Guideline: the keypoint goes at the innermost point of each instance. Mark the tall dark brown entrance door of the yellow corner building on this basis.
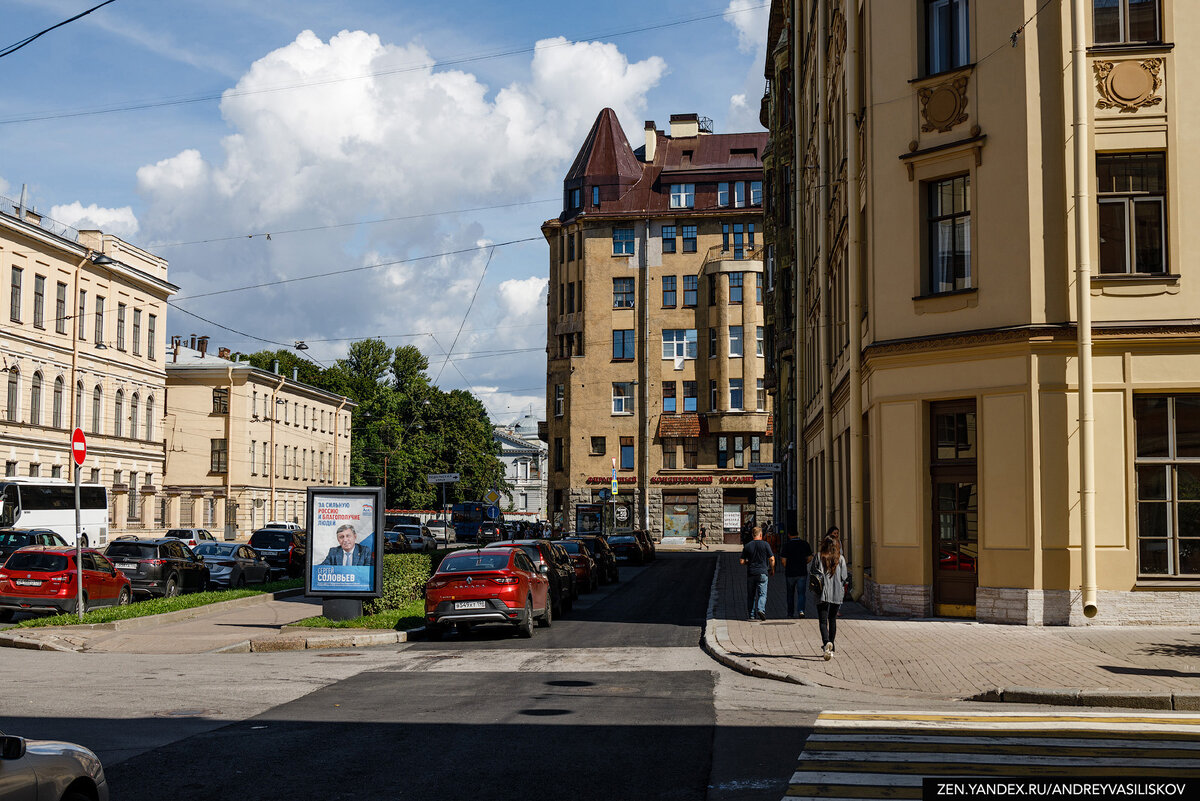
(956, 509)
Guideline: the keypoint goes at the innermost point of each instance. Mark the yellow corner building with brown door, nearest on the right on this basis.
(992, 342)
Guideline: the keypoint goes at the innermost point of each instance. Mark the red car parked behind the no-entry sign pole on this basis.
(43, 580)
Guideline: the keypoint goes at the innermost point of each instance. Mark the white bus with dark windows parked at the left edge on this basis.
(50, 504)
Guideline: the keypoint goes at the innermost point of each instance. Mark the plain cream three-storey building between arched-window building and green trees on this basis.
(245, 444)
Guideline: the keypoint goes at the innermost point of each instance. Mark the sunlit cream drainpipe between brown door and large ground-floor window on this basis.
(1084, 305)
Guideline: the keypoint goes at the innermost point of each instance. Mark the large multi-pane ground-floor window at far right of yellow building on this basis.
(1168, 466)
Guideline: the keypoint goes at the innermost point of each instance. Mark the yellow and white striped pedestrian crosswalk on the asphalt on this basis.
(889, 755)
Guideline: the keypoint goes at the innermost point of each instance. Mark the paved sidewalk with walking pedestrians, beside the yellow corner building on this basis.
(943, 659)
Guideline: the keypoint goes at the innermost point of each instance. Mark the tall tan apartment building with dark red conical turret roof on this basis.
(656, 335)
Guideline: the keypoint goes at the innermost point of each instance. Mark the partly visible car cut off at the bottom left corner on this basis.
(47, 769)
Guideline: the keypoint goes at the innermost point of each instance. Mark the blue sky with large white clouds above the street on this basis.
(401, 155)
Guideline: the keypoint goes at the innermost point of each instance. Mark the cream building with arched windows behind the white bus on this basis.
(81, 347)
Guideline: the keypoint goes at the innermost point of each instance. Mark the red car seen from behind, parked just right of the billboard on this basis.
(488, 586)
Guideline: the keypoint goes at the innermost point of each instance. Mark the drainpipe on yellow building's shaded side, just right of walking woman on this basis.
(854, 279)
